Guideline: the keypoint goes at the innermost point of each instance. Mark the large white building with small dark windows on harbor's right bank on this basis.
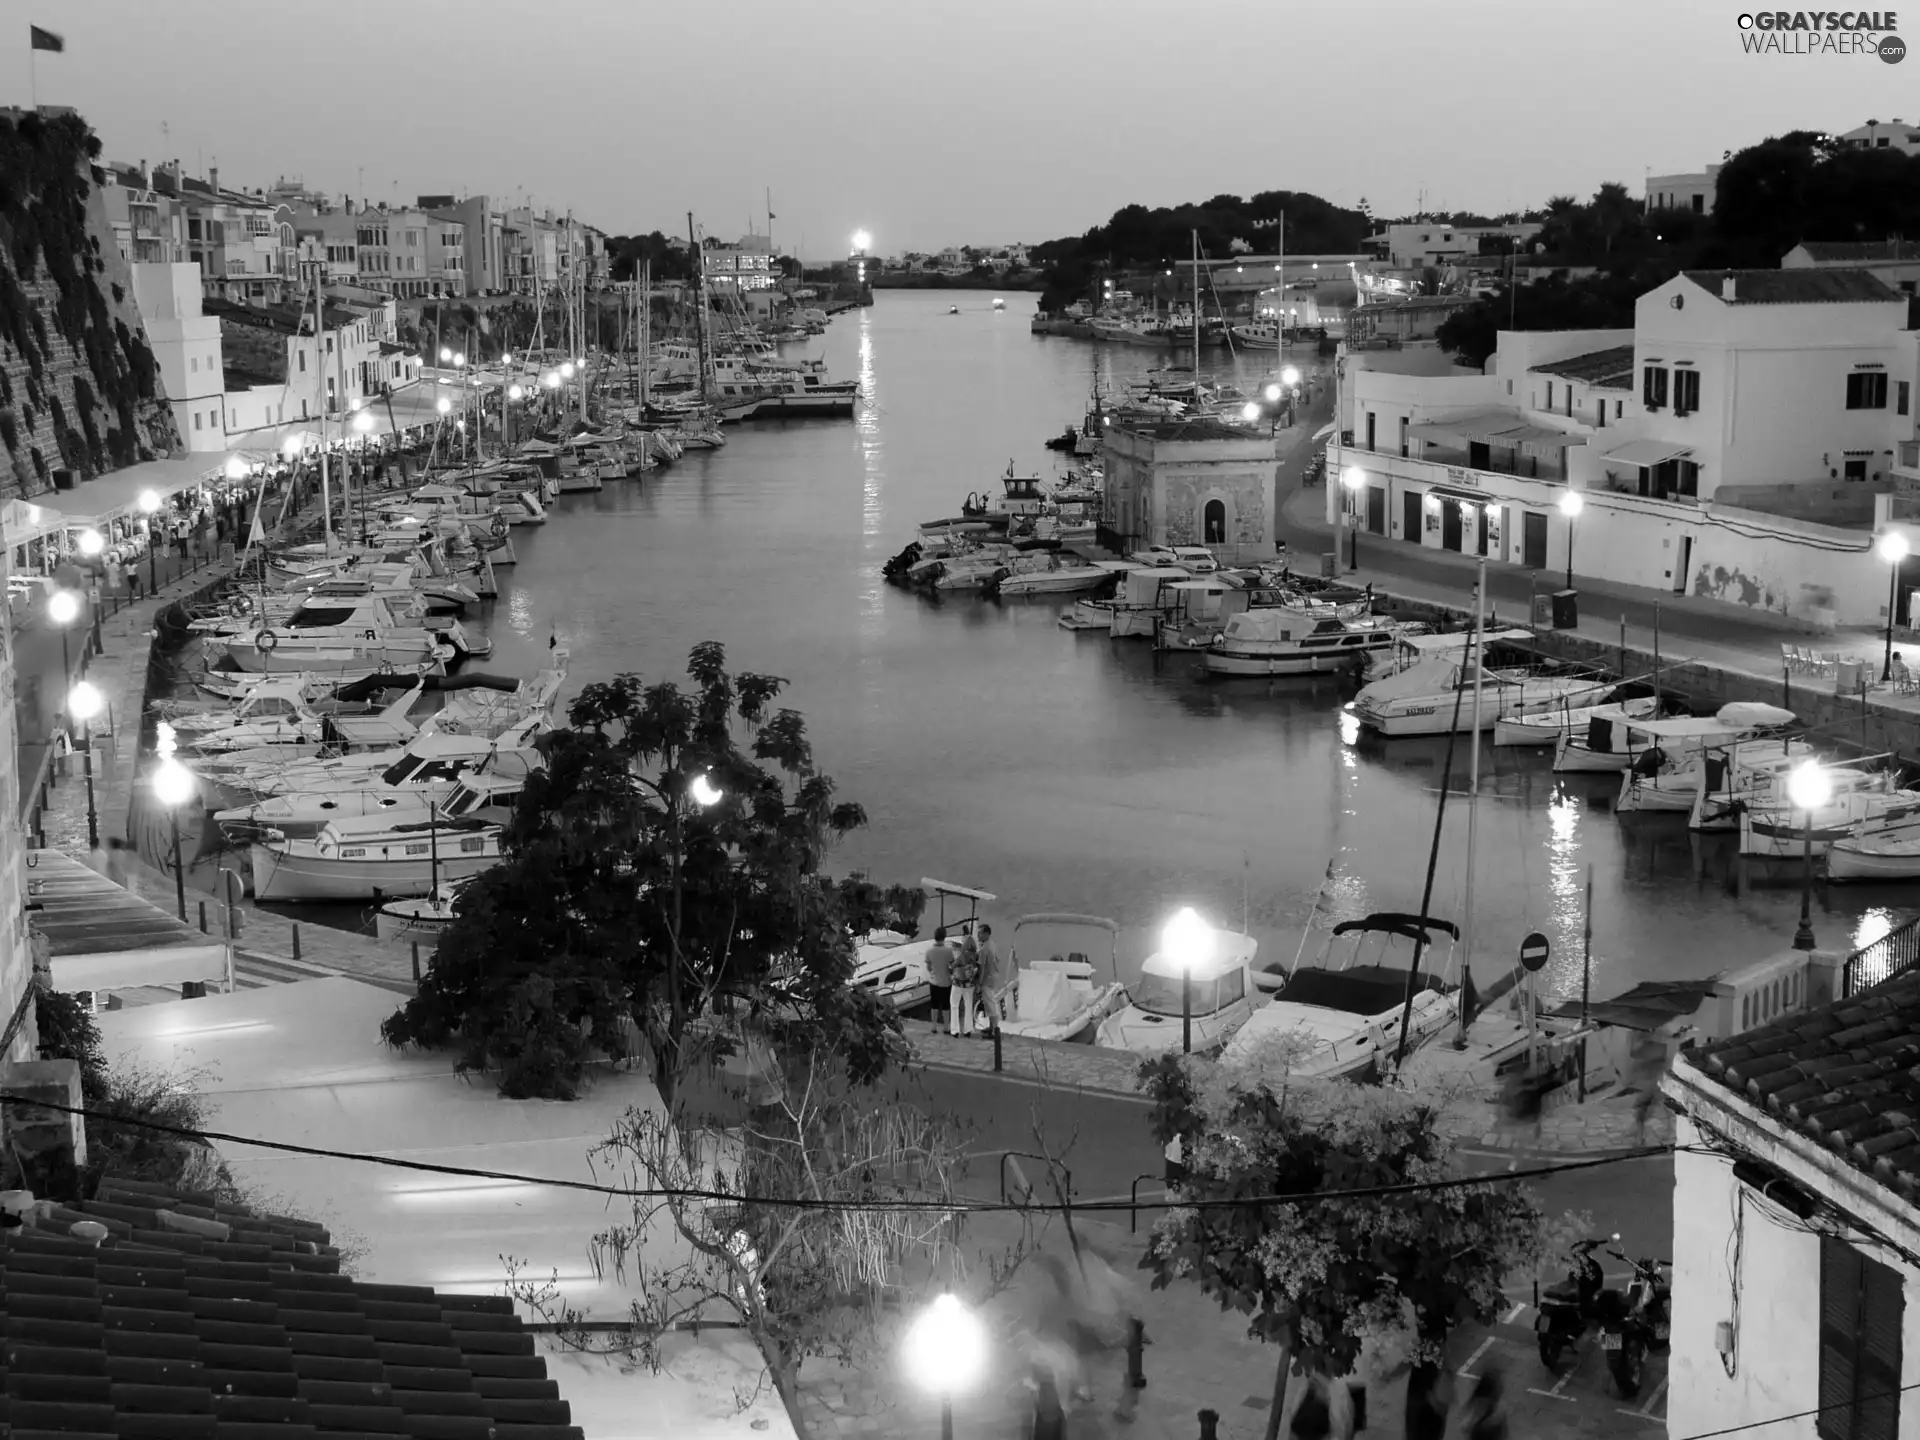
(1742, 443)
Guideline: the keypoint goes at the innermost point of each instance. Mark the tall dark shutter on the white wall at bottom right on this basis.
(1861, 1308)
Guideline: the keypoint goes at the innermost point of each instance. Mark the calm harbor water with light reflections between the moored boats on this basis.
(1068, 771)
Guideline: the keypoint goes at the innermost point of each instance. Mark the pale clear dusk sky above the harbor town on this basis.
(932, 126)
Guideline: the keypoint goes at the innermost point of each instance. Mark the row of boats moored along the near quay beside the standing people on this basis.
(1335, 1017)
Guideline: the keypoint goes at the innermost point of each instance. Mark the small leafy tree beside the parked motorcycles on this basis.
(1320, 1280)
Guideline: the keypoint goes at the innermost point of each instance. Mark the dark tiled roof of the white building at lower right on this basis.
(1846, 1076)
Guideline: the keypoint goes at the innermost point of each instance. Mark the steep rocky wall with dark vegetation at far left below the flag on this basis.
(78, 383)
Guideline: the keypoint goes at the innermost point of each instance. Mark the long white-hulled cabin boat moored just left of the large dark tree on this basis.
(373, 859)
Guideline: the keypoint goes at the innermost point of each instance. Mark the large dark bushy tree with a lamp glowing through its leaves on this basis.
(627, 898)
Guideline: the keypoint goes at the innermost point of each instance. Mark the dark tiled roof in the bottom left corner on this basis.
(197, 1320)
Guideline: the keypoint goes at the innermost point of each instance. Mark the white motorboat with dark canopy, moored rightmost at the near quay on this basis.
(1343, 1020)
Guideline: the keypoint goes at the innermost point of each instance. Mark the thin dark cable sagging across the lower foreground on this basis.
(807, 1203)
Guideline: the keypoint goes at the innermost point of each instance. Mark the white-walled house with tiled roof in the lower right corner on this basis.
(1796, 1234)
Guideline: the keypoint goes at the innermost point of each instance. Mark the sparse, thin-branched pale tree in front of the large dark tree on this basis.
(811, 1222)
